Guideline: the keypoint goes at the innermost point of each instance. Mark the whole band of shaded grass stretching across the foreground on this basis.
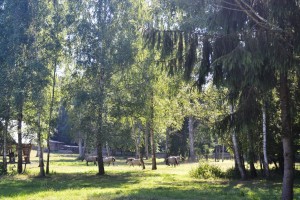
(165, 188)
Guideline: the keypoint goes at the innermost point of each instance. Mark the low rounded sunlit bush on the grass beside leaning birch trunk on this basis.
(206, 171)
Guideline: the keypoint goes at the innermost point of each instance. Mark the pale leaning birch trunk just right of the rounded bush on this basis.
(236, 148)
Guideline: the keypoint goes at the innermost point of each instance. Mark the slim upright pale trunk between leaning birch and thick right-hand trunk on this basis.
(265, 159)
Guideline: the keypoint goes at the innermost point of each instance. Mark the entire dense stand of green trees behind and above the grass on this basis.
(149, 76)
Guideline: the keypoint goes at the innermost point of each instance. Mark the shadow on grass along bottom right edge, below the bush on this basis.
(206, 190)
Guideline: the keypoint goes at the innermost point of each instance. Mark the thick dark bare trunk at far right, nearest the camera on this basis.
(288, 174)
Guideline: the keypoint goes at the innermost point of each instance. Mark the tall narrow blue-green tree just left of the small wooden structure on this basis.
(21, 19)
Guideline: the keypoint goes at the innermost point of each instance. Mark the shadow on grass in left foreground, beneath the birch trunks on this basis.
(13, 187)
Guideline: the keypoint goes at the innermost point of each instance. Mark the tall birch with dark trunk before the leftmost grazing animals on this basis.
(101, 45)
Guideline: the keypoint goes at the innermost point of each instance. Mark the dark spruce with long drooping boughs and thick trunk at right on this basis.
(242, 26)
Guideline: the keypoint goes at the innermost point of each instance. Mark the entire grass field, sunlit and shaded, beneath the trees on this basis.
(72, 180)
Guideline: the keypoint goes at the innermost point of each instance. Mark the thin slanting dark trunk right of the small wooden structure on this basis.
(50, 117)
